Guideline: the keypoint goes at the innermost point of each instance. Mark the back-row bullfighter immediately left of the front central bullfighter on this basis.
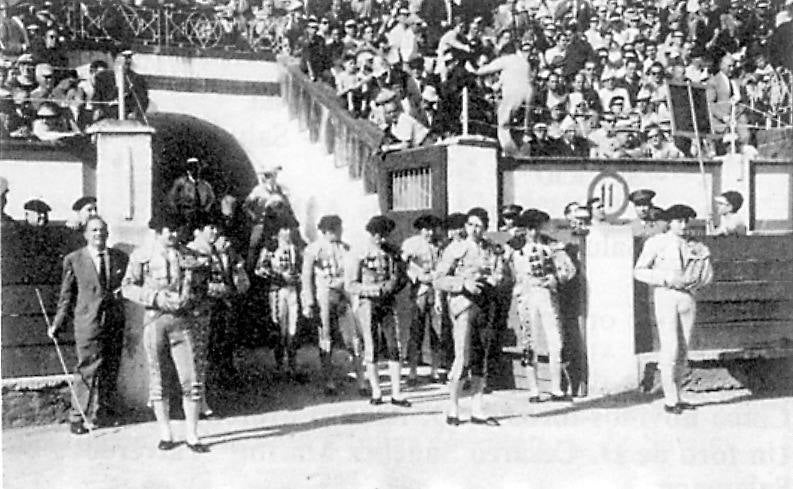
(421, 253)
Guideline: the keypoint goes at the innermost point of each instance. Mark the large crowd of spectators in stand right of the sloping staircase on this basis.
(573, 78)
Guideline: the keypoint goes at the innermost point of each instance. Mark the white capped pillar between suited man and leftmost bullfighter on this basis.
(124, 198)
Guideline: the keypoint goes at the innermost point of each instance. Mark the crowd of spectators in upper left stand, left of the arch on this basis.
(41, 96)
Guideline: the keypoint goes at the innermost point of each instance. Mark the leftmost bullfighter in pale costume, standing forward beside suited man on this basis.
(163, 278)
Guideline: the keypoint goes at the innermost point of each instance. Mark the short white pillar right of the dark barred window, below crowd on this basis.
(472, 178)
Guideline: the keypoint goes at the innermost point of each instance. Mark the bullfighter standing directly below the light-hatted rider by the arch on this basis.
(280, 263)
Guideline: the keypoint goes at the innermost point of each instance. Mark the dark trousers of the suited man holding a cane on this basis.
(96, 375)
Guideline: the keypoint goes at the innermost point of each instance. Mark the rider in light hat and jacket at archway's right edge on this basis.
(266, 204)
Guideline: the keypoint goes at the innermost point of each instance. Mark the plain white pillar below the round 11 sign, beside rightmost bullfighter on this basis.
(609, 326)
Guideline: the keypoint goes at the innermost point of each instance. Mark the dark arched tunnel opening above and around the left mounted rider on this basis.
(179, 136)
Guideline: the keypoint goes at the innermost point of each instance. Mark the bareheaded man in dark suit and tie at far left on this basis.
(90, 296)
